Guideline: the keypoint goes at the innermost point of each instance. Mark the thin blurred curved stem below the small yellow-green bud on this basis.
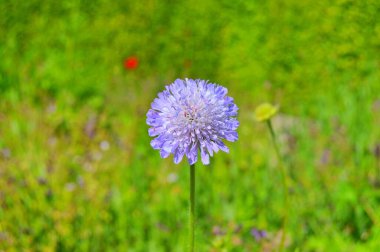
(284, 183)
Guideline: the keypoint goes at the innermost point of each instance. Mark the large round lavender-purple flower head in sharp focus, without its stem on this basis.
(191, 115)
